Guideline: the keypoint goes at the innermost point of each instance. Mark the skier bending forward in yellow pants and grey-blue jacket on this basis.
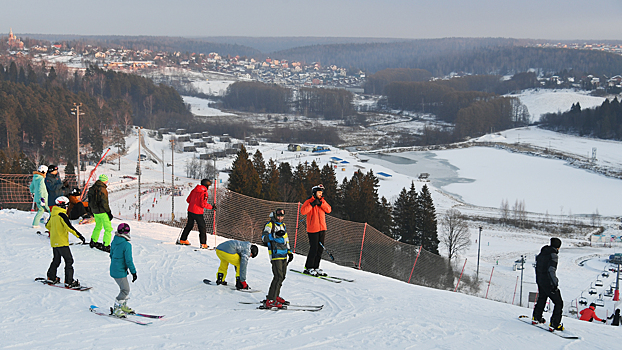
(235, 253)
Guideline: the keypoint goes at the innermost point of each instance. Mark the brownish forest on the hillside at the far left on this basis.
(36, 104)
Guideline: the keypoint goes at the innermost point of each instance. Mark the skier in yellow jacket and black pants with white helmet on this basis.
(59, 227)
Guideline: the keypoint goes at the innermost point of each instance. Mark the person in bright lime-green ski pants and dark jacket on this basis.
(98, 202)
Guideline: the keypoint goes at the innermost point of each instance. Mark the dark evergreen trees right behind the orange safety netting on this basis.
(411, 219)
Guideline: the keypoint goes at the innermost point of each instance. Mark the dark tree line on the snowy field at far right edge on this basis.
(604, 121)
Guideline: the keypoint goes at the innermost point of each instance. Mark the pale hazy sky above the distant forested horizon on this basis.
(533, 19)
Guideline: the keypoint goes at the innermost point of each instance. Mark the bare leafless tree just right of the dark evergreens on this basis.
(455, 234)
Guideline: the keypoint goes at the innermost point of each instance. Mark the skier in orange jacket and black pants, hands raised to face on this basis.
(315, 209)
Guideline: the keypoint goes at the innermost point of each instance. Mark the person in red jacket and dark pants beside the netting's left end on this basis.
(197, 203)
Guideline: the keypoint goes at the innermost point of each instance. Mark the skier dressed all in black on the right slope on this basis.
(546, 278)
